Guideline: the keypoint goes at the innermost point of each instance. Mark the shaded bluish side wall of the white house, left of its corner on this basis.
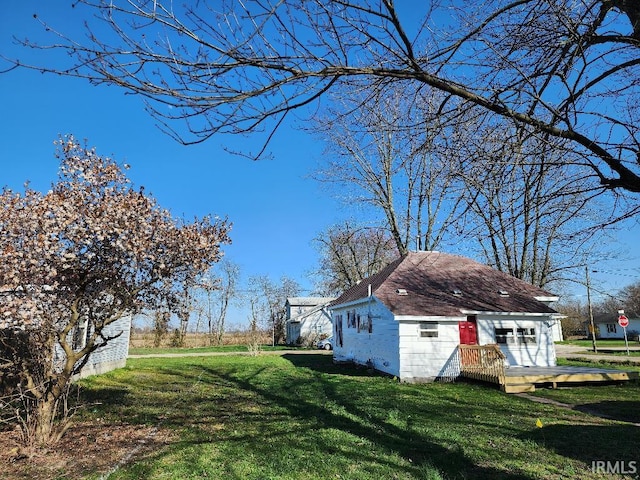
(380, 347)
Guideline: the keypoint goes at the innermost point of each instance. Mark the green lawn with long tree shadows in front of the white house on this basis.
(301, 417)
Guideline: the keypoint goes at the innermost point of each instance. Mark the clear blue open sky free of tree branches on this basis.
(275, 208)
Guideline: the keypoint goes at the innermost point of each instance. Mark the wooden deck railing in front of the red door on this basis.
(482, 362)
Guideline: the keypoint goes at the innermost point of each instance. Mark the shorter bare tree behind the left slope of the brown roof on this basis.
(349, 254)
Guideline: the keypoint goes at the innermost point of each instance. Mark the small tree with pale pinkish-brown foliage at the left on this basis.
(78, 258)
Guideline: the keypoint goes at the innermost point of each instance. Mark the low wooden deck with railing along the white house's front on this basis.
(484, 364)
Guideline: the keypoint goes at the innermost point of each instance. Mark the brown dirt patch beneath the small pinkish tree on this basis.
(86, 448)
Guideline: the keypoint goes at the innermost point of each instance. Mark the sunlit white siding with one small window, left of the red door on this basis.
(424, 359)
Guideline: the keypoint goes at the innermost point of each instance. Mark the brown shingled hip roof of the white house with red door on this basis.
(430, 280)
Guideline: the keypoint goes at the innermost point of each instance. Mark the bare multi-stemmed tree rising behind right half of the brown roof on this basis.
(528, 211)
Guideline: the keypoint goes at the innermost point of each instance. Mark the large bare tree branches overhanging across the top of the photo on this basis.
(569, 70)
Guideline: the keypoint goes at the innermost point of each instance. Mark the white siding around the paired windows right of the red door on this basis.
(542, 353)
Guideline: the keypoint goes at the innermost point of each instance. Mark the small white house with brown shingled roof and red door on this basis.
(408, 319)
